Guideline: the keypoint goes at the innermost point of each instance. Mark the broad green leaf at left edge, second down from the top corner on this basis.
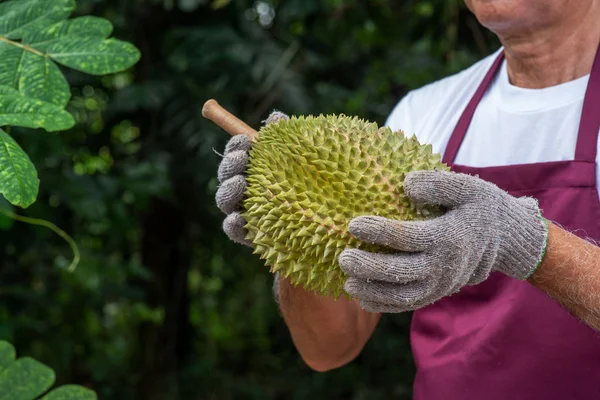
(34, 76)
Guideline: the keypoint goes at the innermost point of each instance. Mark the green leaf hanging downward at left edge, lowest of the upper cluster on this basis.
(19, 182)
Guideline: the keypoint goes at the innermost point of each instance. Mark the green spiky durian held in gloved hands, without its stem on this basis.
(308, 177)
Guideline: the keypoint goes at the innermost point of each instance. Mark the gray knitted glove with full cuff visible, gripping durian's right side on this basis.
(484, 229)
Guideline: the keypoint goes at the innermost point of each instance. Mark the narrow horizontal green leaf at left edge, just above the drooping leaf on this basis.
(18, 110)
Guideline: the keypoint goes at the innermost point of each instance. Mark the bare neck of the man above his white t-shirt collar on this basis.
(554, 55)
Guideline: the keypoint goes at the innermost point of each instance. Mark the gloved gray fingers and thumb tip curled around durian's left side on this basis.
(232, 183)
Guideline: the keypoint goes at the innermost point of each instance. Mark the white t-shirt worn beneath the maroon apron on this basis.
(511, 125)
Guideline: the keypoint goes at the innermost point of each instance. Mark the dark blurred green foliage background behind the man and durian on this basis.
(163, 305)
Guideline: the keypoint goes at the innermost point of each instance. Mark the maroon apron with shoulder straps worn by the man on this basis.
(504, 338)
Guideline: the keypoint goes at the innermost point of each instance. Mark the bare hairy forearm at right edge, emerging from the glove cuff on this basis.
(570, 273)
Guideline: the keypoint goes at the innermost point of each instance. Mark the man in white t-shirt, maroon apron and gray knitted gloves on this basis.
(507, 304)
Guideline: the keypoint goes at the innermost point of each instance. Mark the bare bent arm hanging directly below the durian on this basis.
(328, 333)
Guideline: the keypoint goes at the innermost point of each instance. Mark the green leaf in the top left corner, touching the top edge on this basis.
(17, 17)
